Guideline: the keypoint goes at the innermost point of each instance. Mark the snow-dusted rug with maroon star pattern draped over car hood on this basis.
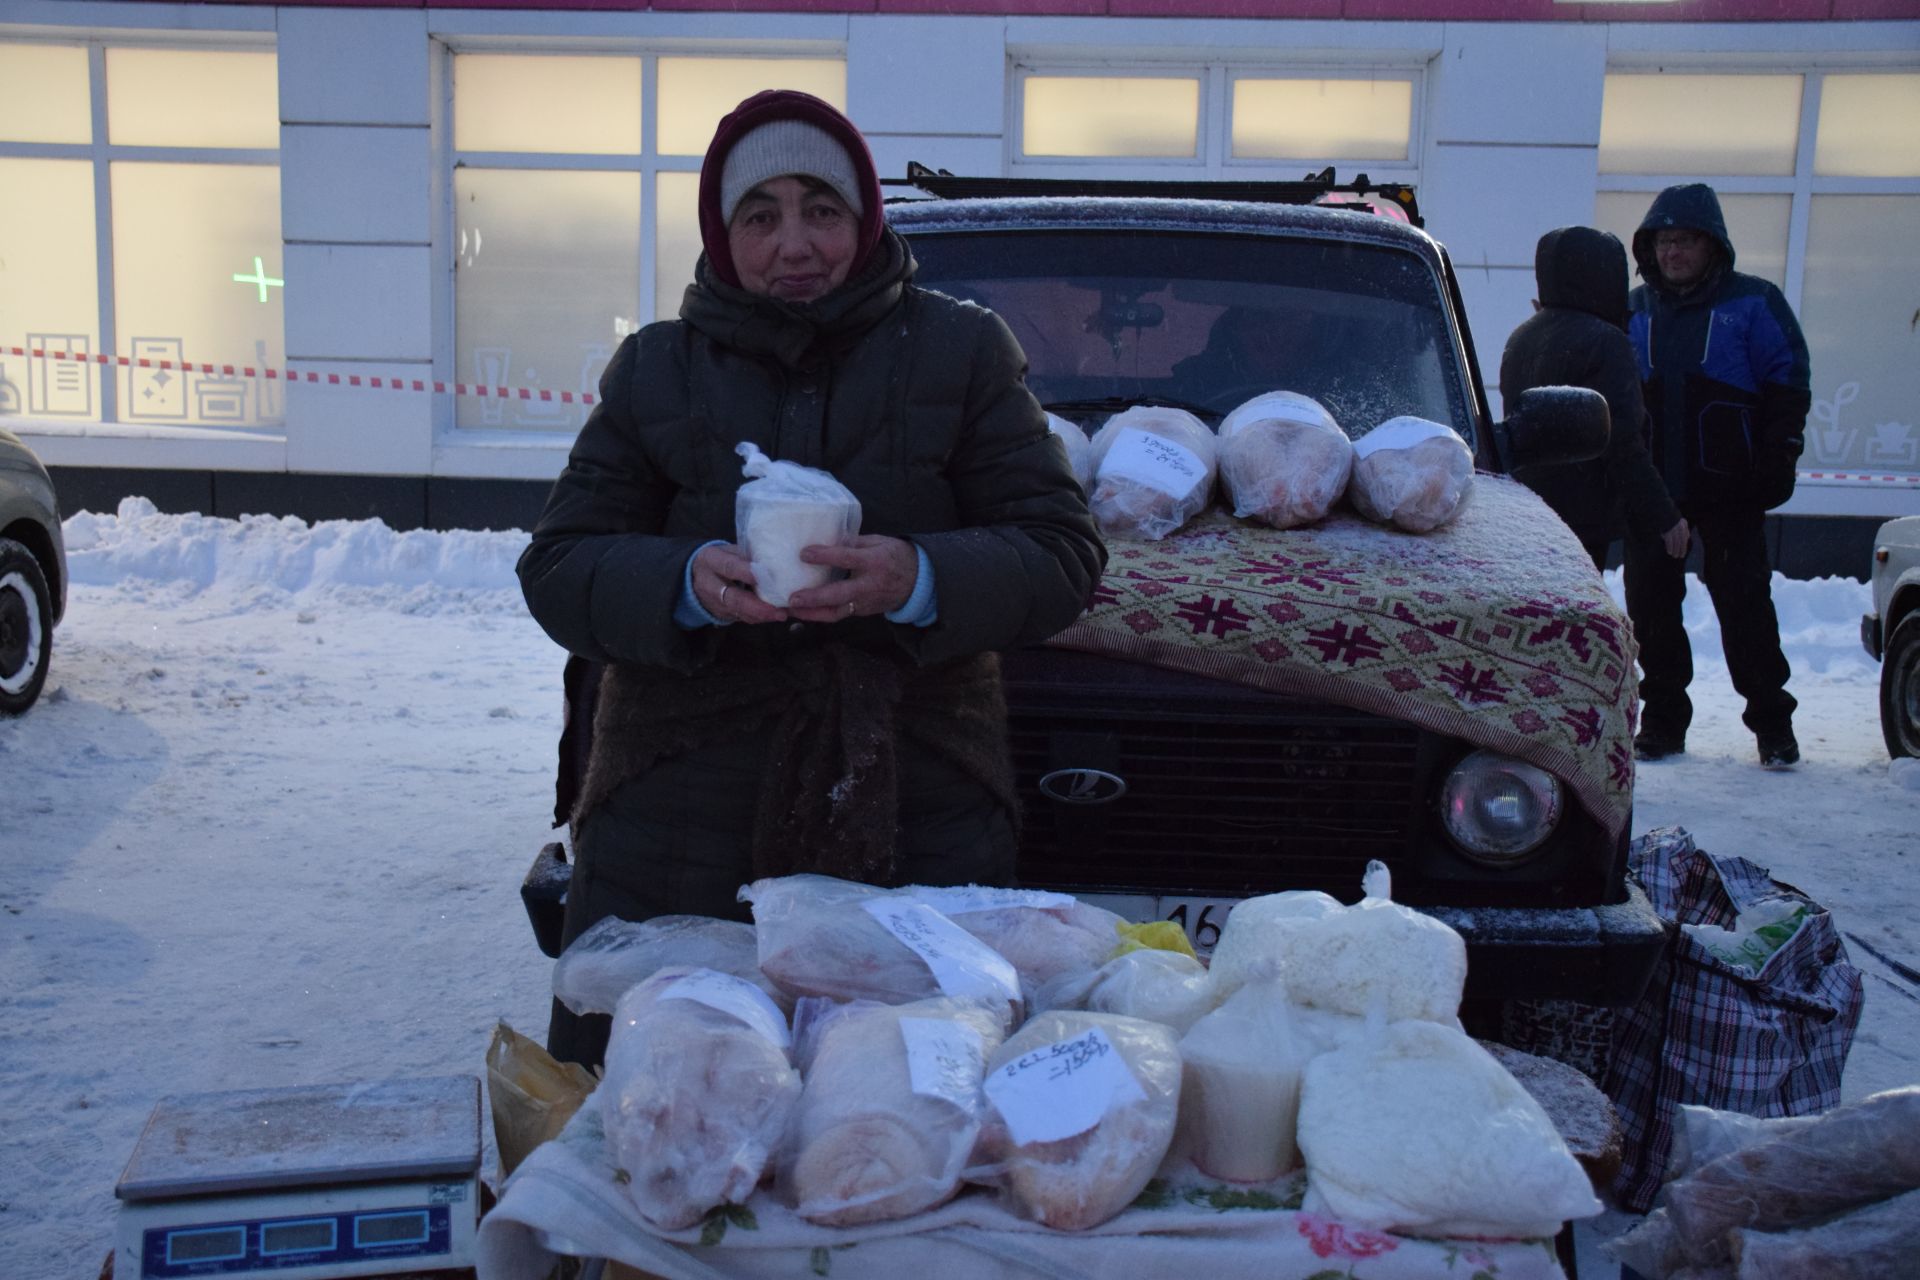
(1493, 628)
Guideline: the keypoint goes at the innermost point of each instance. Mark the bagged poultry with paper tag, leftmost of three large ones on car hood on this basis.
(1153, 471)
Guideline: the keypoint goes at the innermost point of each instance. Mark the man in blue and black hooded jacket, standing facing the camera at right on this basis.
(1727, 387)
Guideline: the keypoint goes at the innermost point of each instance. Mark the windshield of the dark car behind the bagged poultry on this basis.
(1209, 321)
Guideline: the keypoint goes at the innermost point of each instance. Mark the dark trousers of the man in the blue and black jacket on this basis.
(1733, 544)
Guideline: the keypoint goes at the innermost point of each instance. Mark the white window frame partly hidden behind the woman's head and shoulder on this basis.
(648, 164)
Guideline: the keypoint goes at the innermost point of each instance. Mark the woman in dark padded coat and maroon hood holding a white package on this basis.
(859, 730)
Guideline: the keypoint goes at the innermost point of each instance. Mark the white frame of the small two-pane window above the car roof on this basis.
(1216, 160)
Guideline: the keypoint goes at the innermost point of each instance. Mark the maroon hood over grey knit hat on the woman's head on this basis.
(775, 133)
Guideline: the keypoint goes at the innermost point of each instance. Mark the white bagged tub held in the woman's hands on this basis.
(784, 510)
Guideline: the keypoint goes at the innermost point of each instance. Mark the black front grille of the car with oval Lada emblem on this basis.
(1230, 792)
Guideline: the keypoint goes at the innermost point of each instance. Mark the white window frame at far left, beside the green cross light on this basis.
(103, 154)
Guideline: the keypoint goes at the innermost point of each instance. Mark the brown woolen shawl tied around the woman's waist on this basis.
(834, 719)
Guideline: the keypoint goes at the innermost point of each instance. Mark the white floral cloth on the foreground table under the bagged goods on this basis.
(569, 1198)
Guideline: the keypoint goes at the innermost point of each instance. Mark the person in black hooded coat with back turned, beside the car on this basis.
(1579, 339)
